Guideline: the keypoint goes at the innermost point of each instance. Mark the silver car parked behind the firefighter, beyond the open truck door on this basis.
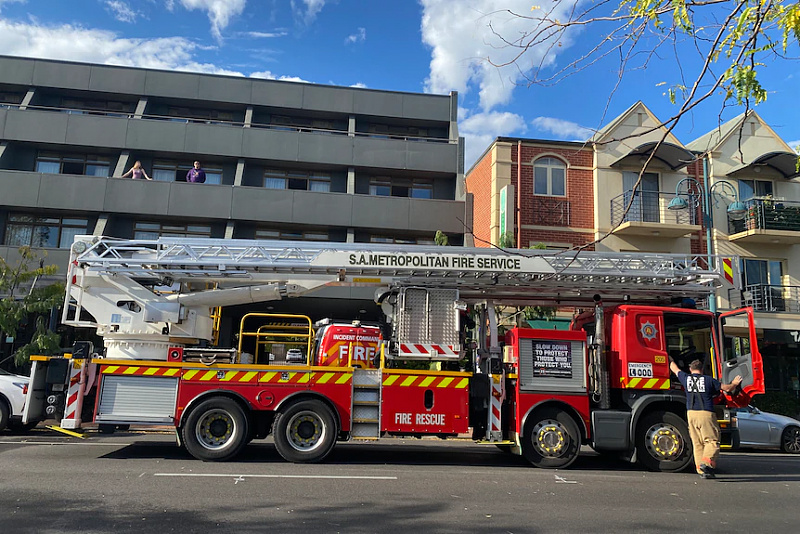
(768, 430)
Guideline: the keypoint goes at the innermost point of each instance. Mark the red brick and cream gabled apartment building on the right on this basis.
(594, 183)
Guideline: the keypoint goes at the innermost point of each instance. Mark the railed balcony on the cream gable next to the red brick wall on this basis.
(647, 215)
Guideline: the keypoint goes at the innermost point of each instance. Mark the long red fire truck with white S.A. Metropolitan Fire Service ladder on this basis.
(538, 393)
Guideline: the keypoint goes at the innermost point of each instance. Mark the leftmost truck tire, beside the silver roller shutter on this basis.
(215, 430)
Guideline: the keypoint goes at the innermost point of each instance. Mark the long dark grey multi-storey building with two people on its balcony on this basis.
(283, 160)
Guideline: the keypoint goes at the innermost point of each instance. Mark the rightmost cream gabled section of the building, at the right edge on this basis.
(747, 156)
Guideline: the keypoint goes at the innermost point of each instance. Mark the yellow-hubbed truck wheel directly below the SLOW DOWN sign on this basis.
(552, 439)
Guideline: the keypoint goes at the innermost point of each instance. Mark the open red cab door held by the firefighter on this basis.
(740, 355)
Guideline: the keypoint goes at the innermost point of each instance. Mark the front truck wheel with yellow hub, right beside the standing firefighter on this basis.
(663, 442)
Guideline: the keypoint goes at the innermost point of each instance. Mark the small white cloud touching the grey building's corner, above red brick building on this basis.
(480, 129)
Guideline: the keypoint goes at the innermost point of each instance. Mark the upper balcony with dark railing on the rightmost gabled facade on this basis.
(767, 221)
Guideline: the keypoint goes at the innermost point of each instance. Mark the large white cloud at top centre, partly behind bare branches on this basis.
(460, 38)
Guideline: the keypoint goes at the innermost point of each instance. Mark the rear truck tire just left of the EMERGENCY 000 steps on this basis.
(305, 432)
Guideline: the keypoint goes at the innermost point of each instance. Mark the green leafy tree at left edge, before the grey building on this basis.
(23, 295)
